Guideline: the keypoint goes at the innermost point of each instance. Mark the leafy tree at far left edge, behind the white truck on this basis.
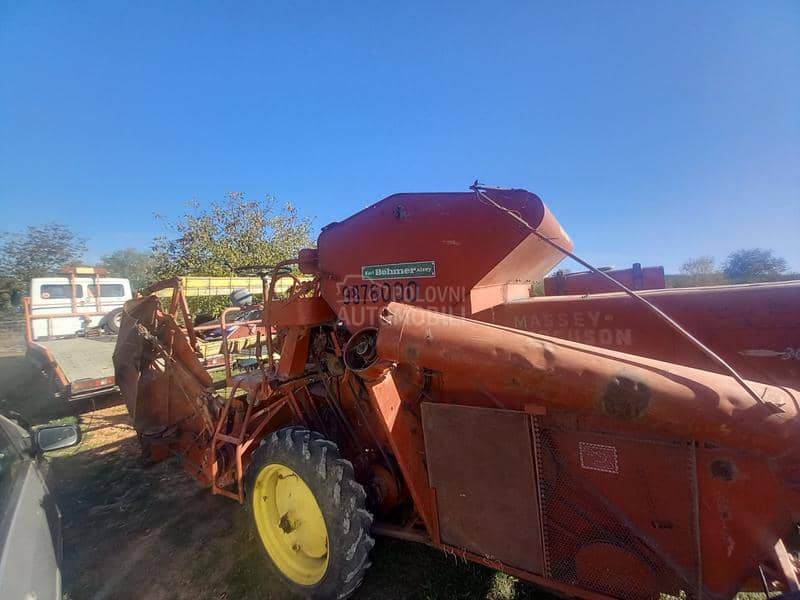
(40, 250)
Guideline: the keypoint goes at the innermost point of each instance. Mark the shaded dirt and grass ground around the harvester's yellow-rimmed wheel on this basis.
(154, 533)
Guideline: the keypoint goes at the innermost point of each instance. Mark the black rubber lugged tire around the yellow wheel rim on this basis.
(341, 499)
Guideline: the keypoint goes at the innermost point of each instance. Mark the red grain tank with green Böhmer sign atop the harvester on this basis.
(448, 252)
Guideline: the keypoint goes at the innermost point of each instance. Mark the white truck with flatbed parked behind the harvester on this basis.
(71, 325)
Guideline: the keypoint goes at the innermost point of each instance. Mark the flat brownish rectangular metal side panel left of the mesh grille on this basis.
(480, 462)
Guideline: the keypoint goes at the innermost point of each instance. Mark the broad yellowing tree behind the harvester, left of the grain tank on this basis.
(228, 234)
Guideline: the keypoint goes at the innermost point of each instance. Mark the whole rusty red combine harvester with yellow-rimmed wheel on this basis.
(413, 388)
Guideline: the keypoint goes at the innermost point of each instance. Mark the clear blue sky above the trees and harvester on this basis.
(656, 131)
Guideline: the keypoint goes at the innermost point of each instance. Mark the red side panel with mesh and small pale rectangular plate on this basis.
(613, 507)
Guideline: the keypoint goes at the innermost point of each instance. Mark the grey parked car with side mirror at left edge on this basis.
(30, 522)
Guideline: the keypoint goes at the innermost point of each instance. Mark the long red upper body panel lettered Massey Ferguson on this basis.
(755, 328)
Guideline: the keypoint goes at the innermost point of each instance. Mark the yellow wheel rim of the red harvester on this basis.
(290, 524)
